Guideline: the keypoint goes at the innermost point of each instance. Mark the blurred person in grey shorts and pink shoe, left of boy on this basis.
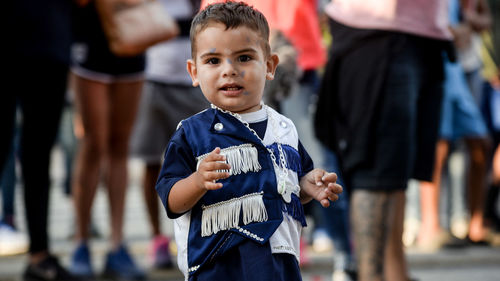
(167, 99)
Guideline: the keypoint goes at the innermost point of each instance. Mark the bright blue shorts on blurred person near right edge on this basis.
(461, 116)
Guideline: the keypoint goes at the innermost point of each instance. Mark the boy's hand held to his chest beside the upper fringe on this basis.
(211, 169)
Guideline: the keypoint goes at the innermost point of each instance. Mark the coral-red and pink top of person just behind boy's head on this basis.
(298, 20)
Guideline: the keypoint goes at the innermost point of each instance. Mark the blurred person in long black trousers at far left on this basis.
(38, 51)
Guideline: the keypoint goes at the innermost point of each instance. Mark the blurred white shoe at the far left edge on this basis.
(12, 242)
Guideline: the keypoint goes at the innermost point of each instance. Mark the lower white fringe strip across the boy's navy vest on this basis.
(226, 214)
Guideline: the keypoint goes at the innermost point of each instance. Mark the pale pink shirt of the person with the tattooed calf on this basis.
(427, 18)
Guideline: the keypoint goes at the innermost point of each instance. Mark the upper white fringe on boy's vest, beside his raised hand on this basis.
(242, 158)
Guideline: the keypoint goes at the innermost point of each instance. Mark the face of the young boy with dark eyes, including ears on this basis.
(231, 67)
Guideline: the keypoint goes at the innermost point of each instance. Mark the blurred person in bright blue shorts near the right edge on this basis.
(460, 119)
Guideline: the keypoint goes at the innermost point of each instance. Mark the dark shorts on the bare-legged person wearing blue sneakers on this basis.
(91, 56)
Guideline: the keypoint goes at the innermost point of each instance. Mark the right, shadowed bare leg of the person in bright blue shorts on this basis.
(476, 185)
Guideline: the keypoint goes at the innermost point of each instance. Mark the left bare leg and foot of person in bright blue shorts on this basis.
(430, 226)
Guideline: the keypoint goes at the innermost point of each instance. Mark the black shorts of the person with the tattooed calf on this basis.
(407, 127)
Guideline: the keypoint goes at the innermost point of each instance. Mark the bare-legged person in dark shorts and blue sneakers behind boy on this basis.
(107, 92)
